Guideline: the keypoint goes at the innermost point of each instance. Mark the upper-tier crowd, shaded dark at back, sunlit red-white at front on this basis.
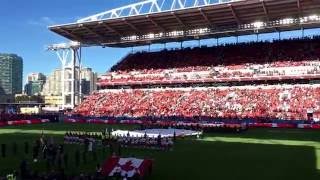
(249, 61)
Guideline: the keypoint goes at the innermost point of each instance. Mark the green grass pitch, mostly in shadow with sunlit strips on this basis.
(264, 154)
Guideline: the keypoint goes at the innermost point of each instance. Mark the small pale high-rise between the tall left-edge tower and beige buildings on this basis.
(35, 84)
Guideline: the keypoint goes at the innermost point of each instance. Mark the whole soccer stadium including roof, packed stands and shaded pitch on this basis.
(241, 110)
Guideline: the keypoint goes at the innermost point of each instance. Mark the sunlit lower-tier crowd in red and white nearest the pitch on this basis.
(270, 101)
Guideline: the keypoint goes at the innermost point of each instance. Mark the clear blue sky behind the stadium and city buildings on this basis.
(23, 31)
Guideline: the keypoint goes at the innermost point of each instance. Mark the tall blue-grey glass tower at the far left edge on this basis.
(11, 69)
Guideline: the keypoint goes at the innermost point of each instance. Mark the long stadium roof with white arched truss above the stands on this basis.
(160, 21)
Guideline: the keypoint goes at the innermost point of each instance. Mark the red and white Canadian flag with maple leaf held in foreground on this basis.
(127, 167)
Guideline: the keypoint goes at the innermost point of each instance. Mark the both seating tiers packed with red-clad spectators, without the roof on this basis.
(266, 84)
